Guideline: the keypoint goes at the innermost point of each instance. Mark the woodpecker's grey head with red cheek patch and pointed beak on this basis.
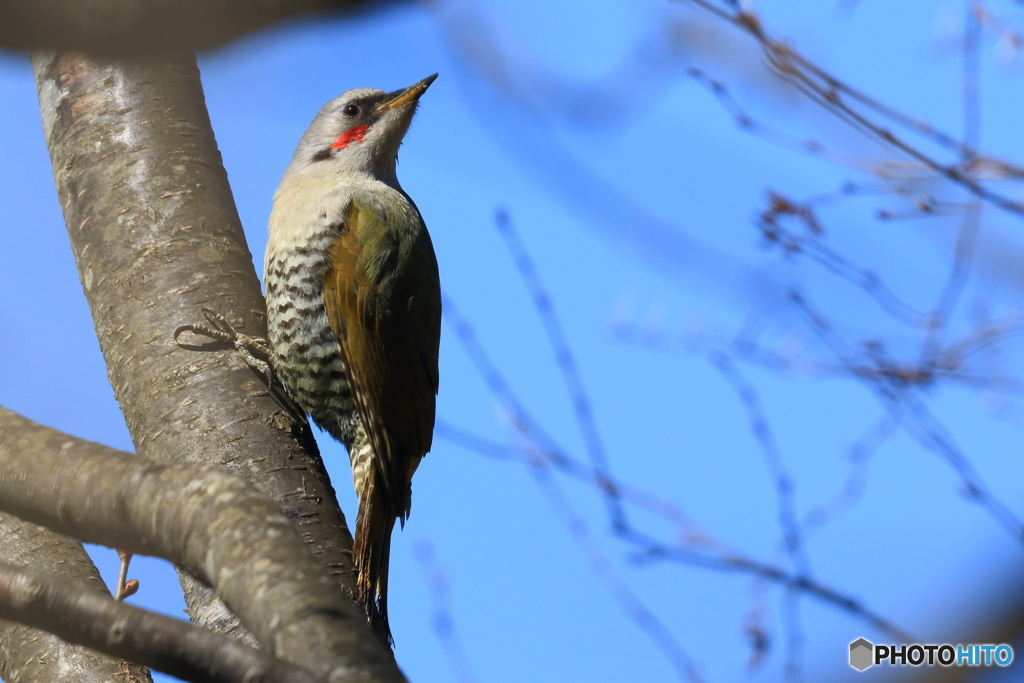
(360, 133)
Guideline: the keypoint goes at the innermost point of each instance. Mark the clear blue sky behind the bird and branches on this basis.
(635, 195)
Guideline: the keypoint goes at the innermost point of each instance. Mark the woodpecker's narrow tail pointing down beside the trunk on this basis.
(372, 548)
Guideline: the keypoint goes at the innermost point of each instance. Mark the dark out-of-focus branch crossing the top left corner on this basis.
(149, 27)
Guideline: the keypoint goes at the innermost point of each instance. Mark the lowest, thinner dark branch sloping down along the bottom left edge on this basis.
(87, 618)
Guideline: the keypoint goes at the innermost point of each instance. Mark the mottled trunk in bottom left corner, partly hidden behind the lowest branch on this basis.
(28, 655)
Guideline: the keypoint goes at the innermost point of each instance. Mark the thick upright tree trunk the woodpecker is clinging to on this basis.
(156, 236)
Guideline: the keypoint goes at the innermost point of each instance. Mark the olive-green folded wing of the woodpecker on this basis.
(382, 297)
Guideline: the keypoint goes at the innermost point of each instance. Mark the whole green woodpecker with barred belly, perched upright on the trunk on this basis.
(354, 307)
